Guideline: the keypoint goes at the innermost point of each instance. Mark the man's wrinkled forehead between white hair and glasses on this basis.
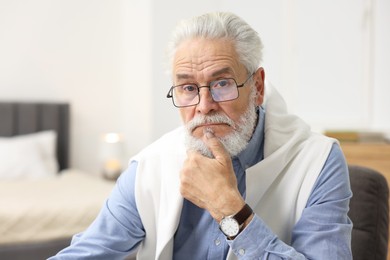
(205, 58)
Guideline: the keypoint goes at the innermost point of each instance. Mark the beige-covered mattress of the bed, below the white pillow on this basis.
(50, 208)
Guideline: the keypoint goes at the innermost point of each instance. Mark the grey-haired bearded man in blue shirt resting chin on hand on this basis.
(242, 179)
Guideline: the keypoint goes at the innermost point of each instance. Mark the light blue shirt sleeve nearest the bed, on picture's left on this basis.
(117, 230)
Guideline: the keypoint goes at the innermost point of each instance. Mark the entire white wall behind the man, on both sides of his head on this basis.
(330, 60)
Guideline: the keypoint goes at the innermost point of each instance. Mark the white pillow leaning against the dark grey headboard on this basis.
(28, 156)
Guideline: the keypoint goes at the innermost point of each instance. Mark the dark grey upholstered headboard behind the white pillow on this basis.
(17, 118)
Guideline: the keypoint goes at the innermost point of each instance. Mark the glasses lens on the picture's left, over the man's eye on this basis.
(185, 95)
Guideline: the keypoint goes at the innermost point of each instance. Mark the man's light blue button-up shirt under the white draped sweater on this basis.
(323, 232)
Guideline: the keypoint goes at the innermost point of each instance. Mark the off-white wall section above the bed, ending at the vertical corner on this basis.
(93, 54)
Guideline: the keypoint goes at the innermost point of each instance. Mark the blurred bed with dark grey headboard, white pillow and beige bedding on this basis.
(42, 202)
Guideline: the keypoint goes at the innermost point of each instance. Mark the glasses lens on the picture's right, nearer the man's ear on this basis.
(224, 90)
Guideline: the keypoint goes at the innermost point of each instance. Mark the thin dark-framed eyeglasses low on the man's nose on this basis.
(221, 90)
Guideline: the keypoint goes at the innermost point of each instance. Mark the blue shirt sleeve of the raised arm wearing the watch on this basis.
(322, 232)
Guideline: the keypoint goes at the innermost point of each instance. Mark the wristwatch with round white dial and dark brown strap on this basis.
(231, 225)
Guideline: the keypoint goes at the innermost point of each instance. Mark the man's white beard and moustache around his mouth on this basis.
(234, 142)
